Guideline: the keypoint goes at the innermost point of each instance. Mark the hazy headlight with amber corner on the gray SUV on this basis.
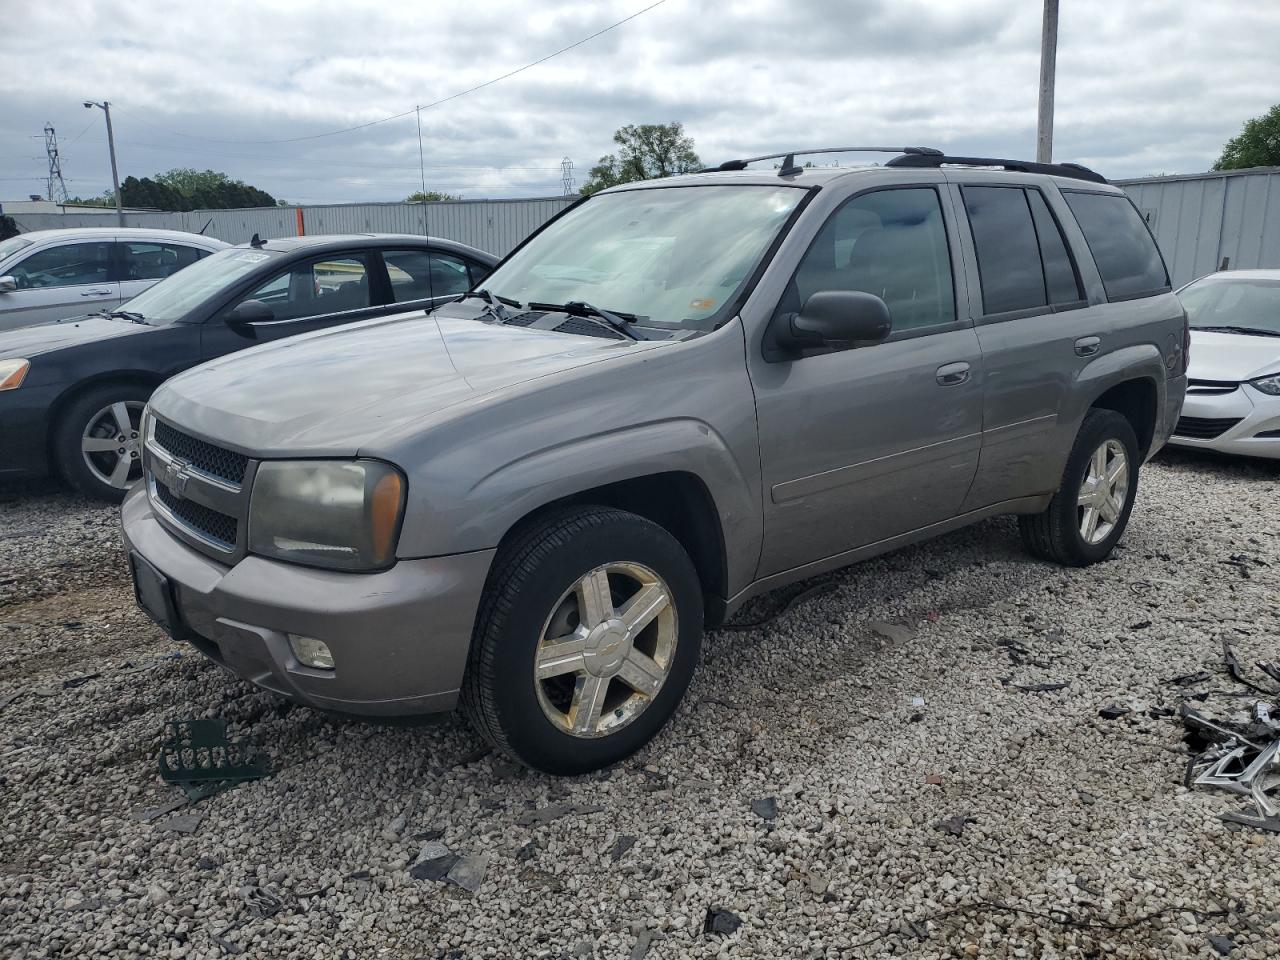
(344, 515)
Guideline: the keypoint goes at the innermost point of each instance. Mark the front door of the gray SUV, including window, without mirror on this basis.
(860, 446)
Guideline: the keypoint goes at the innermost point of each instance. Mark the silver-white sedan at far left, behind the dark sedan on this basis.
(54, 275)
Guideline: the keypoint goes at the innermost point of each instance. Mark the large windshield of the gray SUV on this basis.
(671, 255)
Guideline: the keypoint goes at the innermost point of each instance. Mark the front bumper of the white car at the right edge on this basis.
(1240, 422)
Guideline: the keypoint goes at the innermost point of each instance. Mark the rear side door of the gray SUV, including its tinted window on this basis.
(1036, 328)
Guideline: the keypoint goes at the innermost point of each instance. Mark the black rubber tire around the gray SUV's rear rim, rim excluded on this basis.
(1055, 536)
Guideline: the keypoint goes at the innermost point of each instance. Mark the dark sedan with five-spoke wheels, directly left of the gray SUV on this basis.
(72, 391)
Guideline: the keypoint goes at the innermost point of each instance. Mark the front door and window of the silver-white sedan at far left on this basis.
(62, 281)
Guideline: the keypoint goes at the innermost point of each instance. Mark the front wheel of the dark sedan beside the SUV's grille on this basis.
(98, 441)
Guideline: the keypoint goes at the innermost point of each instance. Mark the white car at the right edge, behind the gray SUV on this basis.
(1233, 392)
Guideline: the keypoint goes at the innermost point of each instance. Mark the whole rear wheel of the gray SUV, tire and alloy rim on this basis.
(1091, 510)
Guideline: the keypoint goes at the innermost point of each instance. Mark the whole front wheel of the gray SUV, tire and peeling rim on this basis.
(588, 636)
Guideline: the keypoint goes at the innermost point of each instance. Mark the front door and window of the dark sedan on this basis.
(309, 295)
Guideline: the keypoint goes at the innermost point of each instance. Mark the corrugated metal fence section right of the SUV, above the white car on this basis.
(1203, 220)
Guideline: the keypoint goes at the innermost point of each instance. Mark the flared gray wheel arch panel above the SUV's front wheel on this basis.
(513, 491)
